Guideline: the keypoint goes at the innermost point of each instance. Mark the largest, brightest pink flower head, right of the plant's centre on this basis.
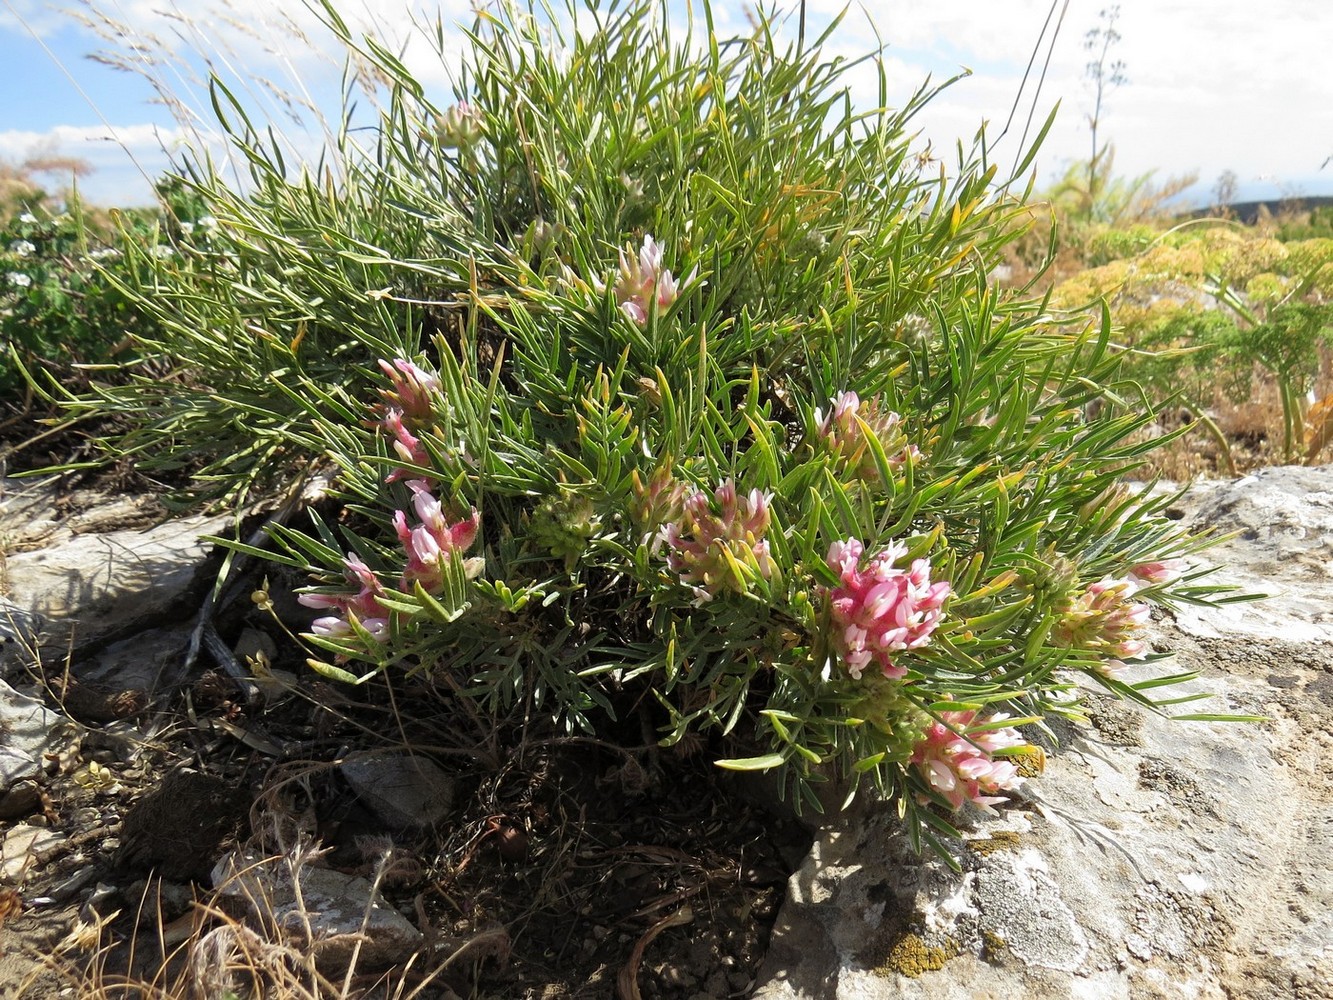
(880, 610)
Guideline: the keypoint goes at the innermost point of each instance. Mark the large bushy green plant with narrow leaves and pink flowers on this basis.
(658, 377)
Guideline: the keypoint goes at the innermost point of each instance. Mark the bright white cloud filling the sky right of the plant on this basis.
(1212, 86)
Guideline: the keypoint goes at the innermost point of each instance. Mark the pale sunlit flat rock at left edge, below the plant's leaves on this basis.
(94, 569)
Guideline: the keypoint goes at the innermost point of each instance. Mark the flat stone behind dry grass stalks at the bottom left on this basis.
(339, 910)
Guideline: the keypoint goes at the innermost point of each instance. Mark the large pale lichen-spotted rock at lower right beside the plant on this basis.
(1154, 859)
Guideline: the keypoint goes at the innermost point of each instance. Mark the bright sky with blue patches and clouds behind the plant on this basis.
(1211, 86)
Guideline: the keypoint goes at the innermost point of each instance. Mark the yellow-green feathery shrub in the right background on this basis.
(1203, 307)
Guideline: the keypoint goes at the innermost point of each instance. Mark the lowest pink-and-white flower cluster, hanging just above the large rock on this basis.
(964, 770)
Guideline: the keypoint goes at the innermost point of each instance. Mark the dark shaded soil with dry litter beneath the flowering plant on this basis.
(569, 867)
